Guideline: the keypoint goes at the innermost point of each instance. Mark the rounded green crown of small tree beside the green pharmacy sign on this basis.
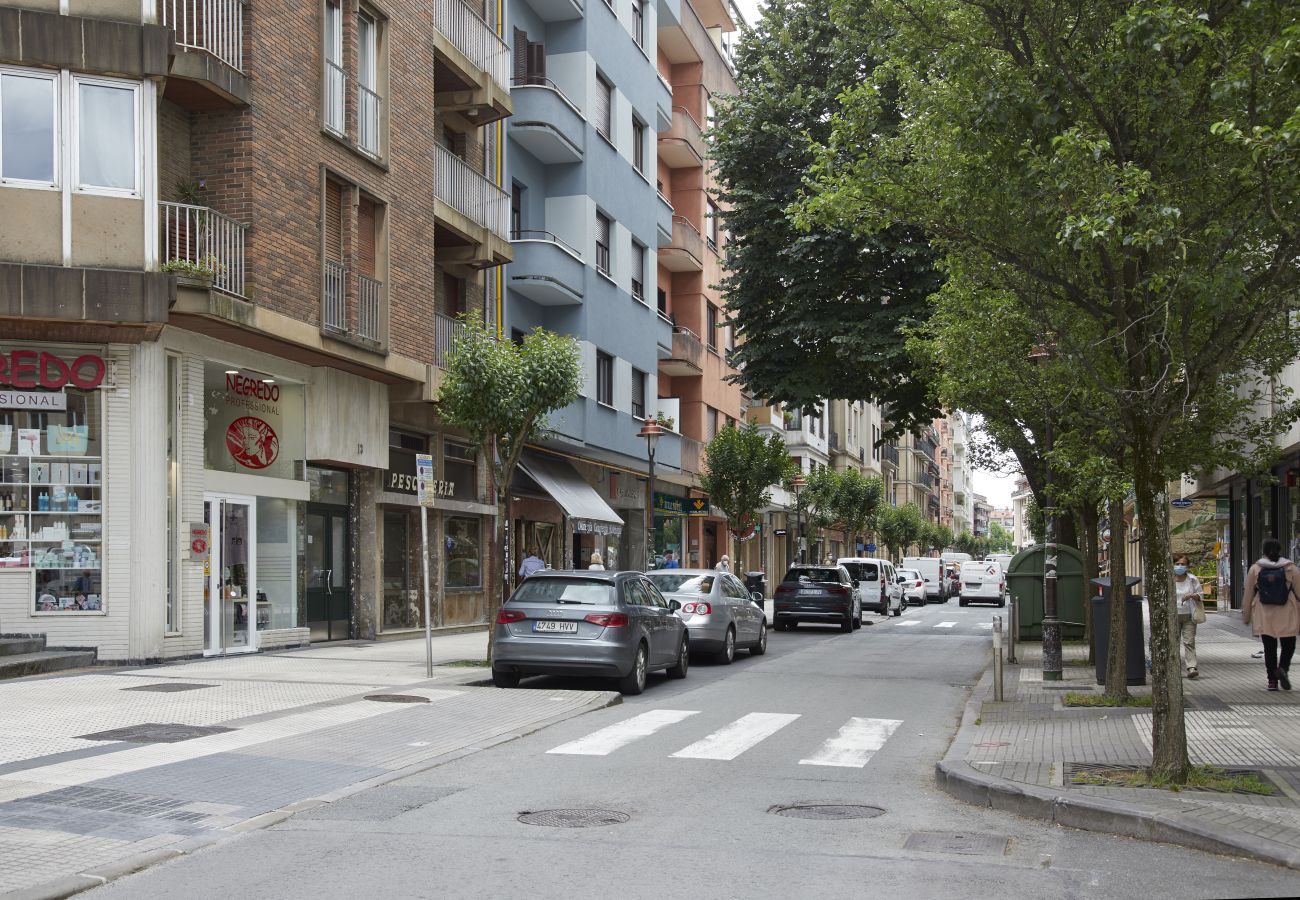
(740, 469)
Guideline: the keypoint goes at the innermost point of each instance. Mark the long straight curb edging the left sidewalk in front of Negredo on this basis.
(67, 886)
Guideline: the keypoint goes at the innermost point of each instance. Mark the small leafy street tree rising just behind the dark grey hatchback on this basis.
(501, 393)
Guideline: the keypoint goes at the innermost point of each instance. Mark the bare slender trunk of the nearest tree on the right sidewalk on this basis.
(1169, 730)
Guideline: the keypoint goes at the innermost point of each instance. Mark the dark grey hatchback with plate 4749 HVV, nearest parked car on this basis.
(614, 625)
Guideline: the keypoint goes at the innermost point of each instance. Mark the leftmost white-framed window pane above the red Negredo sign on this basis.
(28, 115)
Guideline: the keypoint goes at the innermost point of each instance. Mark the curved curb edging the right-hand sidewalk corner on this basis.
(955, 776)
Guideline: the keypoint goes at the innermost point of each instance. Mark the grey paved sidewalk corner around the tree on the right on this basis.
(1022, 755)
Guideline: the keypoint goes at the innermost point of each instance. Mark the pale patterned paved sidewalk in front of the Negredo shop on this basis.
(107, 772)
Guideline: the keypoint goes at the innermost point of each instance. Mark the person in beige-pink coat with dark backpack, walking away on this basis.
(1271, 605)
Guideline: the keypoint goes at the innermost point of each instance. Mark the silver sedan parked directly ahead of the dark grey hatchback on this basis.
(720, 613)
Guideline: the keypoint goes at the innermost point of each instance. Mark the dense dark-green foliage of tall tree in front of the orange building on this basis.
(820, 311)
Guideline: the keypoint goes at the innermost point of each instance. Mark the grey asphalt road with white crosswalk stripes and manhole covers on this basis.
(697, 767)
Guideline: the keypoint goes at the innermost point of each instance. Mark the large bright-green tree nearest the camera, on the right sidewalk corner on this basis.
(1130, 175)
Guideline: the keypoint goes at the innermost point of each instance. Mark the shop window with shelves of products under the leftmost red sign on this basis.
(51, 496)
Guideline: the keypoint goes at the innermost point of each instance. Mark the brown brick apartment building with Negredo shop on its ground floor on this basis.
(233, 244)
